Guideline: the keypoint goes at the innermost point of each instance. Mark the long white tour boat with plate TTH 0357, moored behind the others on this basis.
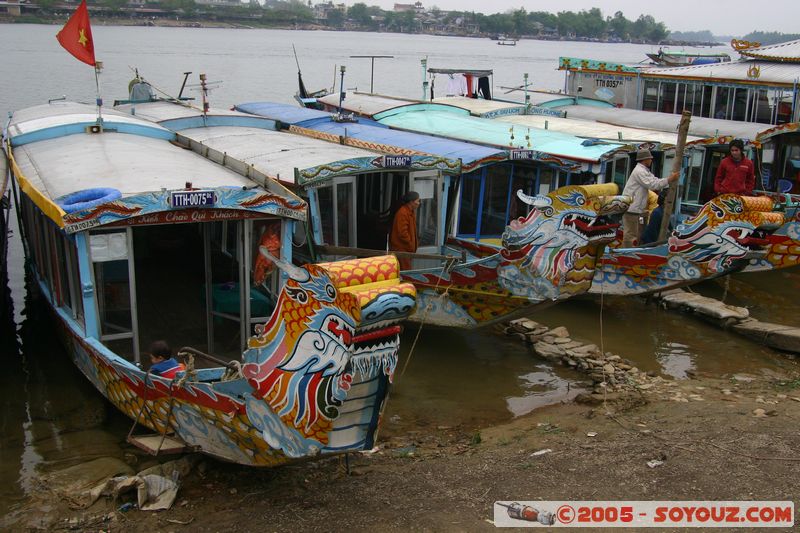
(761, 86)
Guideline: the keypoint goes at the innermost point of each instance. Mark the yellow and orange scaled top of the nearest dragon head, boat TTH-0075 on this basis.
(368, 278)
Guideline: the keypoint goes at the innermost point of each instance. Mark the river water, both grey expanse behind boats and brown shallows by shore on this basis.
(52, 417)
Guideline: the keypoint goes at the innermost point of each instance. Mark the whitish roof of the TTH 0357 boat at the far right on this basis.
(750, 71)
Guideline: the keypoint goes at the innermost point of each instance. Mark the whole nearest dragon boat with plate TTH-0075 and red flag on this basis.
(133, 238)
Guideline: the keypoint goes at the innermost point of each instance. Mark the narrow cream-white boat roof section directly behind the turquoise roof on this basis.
(595, 129)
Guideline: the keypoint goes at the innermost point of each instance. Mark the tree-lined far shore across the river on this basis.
(589, 24)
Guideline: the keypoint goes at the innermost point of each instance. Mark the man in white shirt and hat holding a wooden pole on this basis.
(639, 183)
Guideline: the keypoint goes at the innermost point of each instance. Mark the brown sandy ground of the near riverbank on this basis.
(732, 439)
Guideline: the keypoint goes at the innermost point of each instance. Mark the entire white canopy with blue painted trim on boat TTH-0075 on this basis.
(61, 154)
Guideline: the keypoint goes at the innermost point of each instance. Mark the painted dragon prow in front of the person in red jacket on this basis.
(728, 234)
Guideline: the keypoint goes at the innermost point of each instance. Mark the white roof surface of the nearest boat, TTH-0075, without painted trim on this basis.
(131, 163)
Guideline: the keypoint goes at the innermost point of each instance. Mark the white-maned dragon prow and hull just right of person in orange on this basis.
(544, 257)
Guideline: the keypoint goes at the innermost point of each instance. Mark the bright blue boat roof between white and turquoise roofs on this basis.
(370, 133)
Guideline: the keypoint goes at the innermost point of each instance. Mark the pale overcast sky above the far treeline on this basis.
(722, 17)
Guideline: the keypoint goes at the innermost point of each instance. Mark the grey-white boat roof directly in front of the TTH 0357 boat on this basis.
(666, 122)
